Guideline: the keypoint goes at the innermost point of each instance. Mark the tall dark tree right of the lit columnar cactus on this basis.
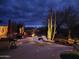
(69, 17)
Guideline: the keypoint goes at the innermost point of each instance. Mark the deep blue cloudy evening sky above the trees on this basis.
(32, 12)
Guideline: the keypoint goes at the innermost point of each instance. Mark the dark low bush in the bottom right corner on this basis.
(69, 55)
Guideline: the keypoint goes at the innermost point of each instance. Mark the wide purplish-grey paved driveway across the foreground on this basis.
(32, 51)
